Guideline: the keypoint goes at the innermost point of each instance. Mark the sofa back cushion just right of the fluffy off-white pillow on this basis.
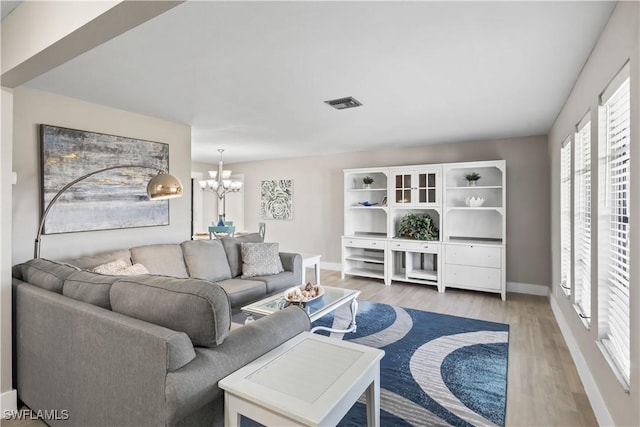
(164, 259)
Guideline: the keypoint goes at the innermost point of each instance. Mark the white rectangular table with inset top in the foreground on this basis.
(310, 380)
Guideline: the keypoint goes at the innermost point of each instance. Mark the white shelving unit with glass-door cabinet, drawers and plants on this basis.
(470, 252)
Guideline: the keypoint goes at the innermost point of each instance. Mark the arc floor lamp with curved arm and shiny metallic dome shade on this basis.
(161, 186)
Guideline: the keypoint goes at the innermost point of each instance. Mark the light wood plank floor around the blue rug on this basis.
(543, 385)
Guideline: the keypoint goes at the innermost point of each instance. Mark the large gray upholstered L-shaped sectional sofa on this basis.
(143, 350)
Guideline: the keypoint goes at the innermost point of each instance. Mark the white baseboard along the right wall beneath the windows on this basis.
(593, 393)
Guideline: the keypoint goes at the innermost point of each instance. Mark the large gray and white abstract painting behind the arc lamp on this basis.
(109, 200)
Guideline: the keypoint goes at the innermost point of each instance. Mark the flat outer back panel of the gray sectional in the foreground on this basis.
(71, 354)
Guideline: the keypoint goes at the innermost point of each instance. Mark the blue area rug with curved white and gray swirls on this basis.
(438, 370)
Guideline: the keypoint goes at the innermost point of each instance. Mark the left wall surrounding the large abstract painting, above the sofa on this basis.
(32, 108)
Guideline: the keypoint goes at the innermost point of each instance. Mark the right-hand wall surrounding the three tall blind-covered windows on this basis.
(619, 42)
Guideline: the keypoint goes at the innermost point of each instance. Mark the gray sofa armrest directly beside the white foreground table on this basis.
(189, 388)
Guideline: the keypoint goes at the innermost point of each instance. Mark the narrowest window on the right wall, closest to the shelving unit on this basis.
(565, 216)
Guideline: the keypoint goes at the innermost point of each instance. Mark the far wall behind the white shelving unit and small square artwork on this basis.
(318, 197)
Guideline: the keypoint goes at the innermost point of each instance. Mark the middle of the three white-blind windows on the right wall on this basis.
(582, 219)
